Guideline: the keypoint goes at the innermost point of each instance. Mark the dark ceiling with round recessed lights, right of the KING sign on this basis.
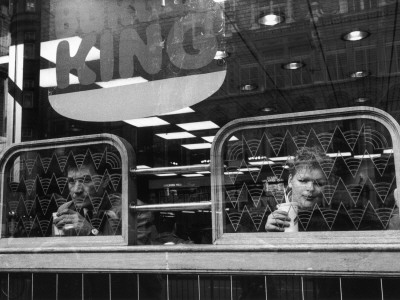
(314, 37)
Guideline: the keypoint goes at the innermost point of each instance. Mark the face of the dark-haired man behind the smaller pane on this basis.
(81, 185)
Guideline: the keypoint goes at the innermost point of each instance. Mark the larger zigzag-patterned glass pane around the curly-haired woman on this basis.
(358, 176)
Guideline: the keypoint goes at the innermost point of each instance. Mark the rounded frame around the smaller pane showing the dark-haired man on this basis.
(128, 192)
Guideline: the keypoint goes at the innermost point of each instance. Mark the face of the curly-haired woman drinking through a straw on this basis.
(307, 185)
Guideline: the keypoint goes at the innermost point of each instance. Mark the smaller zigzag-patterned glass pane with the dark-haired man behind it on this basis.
(39, 184)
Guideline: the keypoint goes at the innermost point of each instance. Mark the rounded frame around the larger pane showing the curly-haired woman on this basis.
(356, 240)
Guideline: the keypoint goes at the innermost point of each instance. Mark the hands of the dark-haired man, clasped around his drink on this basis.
(72, 223)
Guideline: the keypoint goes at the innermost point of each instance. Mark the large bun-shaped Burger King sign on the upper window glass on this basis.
(102, 43)
